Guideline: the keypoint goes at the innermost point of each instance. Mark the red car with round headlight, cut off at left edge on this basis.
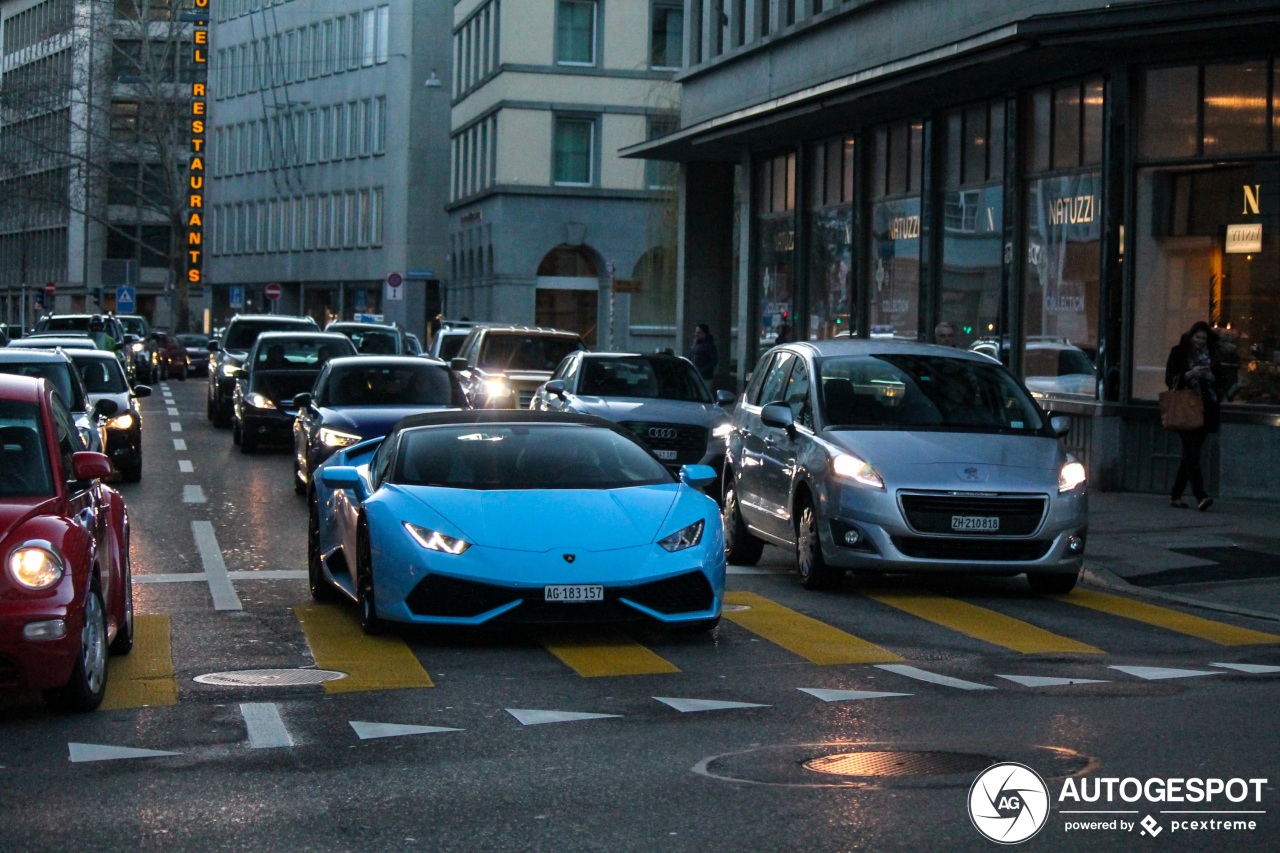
(66, 596)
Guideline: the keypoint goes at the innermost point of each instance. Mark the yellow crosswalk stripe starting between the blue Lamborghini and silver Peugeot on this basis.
(803, 636)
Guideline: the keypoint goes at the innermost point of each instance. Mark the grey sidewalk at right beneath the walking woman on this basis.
(1227, 559)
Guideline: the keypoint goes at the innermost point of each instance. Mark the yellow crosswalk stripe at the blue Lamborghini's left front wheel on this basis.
(371, 663)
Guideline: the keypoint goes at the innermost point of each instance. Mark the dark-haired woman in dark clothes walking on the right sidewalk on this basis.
(1195, 364)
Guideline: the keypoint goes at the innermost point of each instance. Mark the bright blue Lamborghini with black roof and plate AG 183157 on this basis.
(468, 518)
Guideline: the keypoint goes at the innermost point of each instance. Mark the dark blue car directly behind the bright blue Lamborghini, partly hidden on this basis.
(362, 398)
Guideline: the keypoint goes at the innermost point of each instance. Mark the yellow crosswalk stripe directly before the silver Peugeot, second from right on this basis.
(982, 624)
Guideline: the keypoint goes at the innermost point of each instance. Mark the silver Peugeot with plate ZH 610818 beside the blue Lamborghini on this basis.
(902, 458)
